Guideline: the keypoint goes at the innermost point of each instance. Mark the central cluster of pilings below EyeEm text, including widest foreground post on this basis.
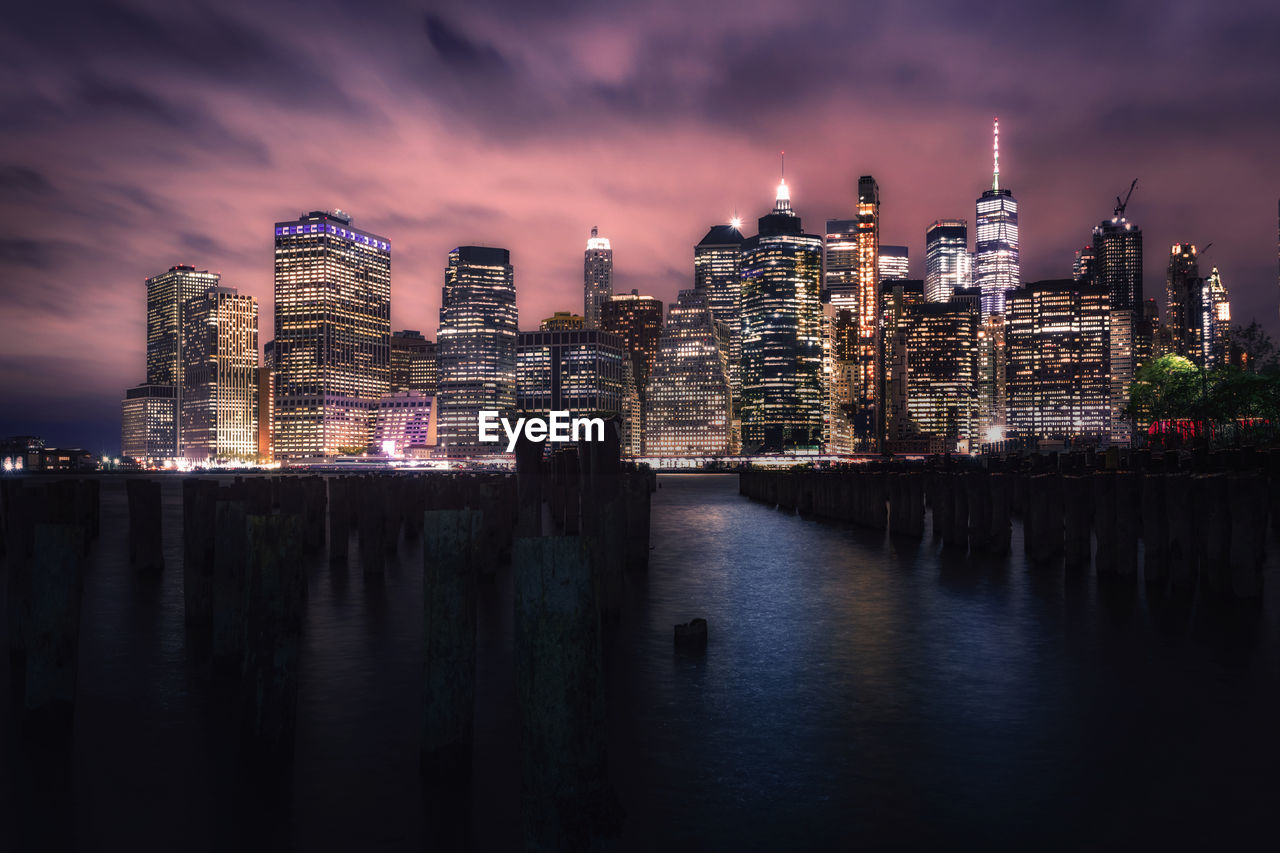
(584, 522)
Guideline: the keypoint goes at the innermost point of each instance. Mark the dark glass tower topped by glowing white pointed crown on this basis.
(783, 380)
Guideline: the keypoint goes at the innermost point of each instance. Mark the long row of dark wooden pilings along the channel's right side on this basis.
(1200, 518)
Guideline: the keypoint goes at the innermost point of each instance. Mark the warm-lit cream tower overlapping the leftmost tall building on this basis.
(220, 377)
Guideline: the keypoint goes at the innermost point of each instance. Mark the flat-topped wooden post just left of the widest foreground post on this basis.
(451, 541)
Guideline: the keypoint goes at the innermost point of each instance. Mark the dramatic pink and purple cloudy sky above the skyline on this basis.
(139, 134)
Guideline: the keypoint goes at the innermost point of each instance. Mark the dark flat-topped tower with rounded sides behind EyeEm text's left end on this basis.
(477, 346)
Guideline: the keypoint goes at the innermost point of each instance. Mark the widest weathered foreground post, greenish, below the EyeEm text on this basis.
(561, 694)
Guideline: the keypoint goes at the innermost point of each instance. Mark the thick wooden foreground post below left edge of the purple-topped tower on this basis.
(273, 626)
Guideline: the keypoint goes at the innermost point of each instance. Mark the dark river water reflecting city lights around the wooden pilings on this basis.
(857, 694)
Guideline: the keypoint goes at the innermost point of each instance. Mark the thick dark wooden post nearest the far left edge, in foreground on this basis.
(57, 586)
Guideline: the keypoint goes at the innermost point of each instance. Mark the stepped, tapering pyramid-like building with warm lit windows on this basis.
(691, 403)
